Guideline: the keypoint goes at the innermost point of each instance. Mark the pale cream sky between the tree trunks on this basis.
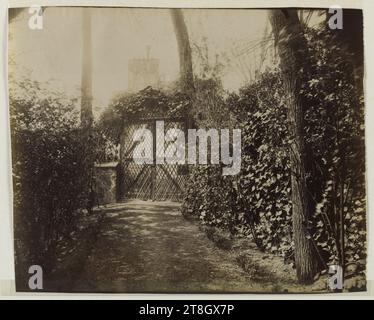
(119, 34)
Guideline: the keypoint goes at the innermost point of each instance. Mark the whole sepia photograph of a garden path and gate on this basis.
(187, 150)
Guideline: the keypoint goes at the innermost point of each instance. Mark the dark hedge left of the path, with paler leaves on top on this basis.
(50, 170)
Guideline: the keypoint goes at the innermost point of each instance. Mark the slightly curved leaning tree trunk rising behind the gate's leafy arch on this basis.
(184, 49)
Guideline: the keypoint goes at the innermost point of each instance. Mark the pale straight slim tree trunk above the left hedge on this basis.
(86, 80)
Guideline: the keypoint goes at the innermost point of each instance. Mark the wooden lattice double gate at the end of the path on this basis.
(150, 181)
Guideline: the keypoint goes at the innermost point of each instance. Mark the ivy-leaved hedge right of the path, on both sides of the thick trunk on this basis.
(257, 201)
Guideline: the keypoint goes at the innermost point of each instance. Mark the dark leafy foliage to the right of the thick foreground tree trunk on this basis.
(335, 127)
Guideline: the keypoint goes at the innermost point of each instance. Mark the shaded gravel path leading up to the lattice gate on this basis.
(146, 246)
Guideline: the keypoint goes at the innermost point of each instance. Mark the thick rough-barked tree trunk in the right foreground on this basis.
(292, 49)
